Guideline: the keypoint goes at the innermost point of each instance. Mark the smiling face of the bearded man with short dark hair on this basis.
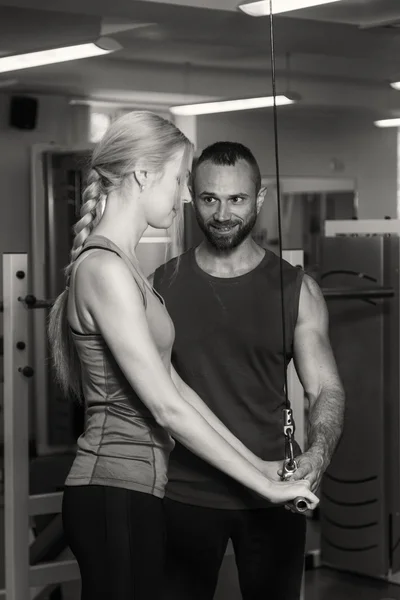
(226, 203)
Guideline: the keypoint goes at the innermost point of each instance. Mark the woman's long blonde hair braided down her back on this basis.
(138, 135)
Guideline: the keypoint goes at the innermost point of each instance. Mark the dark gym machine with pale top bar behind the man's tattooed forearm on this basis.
(360, 505)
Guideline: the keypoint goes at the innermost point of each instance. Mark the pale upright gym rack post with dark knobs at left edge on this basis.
(23, 576)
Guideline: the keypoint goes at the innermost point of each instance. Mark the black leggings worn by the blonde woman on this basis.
(118, 539)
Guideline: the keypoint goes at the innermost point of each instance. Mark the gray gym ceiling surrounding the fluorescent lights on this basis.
(205, 46)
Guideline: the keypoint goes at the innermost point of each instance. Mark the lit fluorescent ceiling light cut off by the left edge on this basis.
(56, 55)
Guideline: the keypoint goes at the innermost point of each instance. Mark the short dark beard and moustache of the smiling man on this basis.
(226, 241)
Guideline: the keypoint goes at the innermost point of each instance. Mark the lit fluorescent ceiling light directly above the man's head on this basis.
(207, 108)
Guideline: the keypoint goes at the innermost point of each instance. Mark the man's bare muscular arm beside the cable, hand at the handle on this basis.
(316, 368)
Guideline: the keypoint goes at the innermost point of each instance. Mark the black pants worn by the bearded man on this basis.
(268, 543)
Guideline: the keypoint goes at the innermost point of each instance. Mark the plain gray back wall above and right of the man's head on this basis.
(309, 144)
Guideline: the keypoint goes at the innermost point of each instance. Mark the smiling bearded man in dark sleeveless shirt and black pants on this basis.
(225, 300)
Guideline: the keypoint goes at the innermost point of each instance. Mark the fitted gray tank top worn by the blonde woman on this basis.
(122, 445)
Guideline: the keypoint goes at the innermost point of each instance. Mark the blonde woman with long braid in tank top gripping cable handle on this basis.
(111, 338)
